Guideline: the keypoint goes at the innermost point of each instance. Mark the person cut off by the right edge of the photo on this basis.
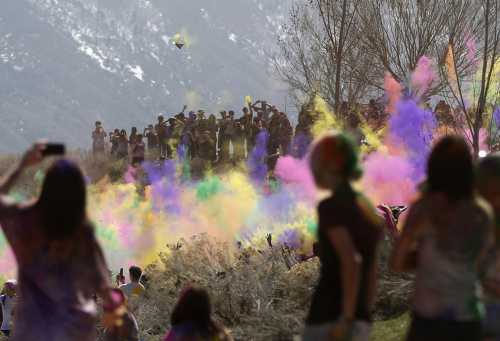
(488, 185)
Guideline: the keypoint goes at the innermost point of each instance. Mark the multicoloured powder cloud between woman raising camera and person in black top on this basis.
(134, 226)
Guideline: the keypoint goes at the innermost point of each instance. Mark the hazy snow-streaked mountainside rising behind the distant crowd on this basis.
(66, 63)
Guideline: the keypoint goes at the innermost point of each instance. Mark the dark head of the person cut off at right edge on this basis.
(488, 180)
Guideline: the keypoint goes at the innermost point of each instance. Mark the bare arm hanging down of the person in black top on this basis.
(350, 267)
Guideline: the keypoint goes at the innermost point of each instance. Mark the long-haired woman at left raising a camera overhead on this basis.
(61, 266)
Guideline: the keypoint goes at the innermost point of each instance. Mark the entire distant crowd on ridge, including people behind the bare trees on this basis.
(232, 137)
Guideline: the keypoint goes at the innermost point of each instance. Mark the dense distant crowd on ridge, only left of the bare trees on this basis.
(197, 135)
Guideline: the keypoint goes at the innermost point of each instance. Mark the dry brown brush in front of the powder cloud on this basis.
(253, 292)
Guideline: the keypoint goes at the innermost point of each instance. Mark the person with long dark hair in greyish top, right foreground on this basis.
(447, 234)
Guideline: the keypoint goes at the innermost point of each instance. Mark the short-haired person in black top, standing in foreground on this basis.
(348, 235)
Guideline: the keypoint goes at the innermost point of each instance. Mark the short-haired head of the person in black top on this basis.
(333, 160)
